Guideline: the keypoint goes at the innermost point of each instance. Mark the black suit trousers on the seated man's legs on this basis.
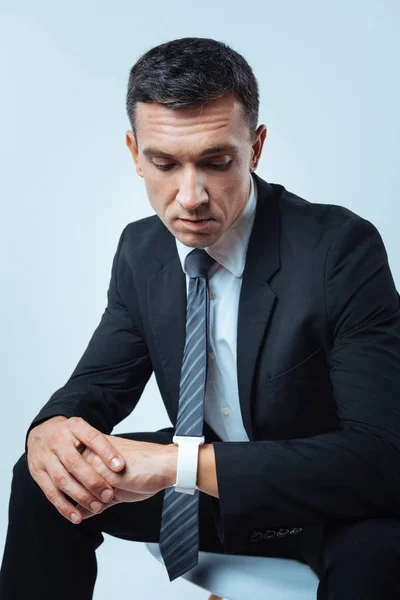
(46, 556)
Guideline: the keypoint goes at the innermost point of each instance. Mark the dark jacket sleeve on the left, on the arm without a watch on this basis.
(109, 379)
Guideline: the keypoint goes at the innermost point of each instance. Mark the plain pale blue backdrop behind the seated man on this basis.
(329, 86)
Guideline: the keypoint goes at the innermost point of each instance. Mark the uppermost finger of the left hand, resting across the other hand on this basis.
(97, 441)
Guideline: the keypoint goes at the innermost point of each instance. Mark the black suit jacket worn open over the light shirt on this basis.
(318, 364)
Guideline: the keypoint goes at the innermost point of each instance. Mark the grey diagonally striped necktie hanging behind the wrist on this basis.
(179, 532)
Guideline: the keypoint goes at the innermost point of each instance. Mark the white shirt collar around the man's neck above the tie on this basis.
(230, 249)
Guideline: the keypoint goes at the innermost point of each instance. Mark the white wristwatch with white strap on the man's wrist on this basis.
(188, 455)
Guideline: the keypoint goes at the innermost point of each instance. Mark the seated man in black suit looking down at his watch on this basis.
(301, 409)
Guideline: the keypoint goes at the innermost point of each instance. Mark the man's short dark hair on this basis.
(190, 72)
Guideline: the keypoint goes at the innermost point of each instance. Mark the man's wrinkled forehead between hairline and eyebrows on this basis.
(219, 123)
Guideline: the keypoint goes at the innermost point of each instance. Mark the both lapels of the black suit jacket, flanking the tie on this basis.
(166, 297)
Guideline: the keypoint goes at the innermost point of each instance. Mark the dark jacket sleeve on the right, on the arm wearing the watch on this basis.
(353, 472)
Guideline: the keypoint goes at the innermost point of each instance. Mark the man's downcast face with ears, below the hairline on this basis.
(197, 192)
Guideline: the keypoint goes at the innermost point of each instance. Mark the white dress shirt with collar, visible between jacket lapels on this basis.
(222, 409)
